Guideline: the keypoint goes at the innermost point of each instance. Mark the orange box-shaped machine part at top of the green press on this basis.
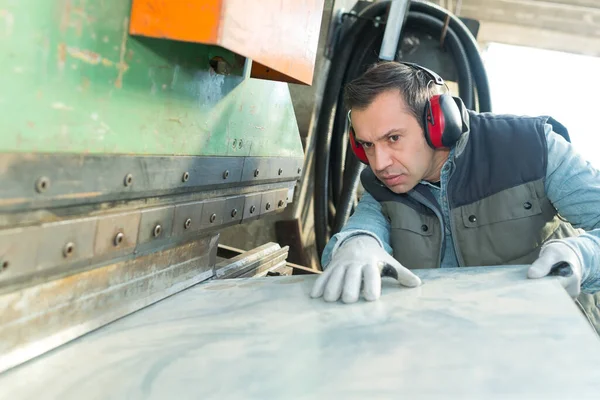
(280, 36)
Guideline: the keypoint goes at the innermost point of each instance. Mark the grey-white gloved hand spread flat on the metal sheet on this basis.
(357, 258)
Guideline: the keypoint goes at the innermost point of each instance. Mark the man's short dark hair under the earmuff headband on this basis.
(384, 76)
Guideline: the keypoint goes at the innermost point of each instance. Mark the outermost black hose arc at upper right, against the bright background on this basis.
(470, 46)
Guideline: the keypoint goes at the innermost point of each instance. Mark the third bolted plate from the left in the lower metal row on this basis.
(110, 228)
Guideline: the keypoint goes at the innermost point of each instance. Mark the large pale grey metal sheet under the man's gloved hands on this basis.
(468, 333)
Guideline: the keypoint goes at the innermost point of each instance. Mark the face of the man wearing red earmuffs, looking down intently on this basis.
(394, 142)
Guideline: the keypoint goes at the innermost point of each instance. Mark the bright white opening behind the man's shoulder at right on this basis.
(529, 81)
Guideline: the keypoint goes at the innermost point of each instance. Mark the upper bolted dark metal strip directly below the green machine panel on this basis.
(52, 180)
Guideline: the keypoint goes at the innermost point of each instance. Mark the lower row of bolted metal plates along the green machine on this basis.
(39, 253)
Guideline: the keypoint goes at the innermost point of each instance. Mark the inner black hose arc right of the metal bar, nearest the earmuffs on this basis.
(433, 26)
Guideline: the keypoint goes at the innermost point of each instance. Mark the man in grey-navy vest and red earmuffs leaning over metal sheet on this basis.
(448, 187)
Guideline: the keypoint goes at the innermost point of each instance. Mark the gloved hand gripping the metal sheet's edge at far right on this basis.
(555, 259)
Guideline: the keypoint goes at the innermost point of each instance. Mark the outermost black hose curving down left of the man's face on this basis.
(325, 120)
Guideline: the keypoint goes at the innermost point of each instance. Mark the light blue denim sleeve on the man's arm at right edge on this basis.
(573, 186)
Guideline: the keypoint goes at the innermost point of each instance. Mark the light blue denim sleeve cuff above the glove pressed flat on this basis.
(368, 219)
